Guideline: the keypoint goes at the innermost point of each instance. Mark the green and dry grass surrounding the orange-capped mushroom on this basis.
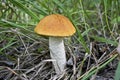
(97, 25)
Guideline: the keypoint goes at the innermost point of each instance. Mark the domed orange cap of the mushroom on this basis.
(55, 25)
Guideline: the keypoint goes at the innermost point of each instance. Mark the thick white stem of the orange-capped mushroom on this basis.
(57, 52)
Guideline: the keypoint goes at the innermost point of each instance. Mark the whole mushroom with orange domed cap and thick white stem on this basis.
(56, 27)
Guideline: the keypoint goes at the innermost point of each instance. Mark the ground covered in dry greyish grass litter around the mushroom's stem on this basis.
(28, 58)
